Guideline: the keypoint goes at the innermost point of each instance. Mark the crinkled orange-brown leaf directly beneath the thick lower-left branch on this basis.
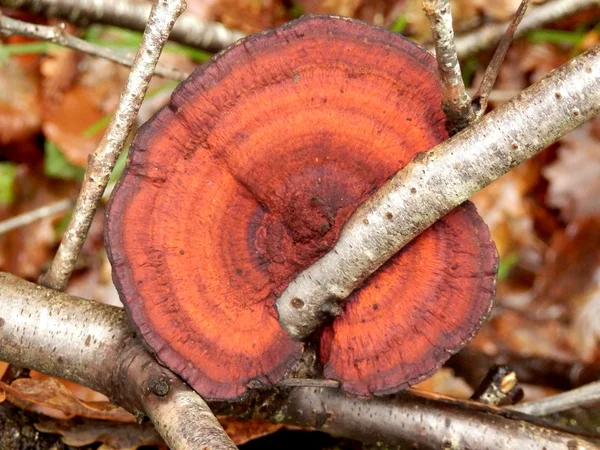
(39, 394)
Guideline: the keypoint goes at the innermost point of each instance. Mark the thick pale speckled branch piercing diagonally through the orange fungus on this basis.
(437, 181)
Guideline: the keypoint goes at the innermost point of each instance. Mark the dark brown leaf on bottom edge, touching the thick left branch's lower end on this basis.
(113, 436)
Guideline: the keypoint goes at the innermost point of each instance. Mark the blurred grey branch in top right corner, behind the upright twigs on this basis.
(489, 35)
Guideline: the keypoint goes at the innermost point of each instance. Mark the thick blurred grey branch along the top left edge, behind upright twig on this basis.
(133, 15)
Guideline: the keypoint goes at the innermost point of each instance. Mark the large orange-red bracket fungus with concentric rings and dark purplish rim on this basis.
(247, 177)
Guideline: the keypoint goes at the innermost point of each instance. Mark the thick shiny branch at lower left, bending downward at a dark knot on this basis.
(90, 344)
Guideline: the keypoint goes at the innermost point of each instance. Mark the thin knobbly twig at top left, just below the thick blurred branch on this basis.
(58, 35)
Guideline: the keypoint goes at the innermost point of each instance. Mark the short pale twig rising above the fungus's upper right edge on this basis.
(455, 100)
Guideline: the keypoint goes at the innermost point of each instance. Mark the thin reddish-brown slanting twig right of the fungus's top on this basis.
(491, 72)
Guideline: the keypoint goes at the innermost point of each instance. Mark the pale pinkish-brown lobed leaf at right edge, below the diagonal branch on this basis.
(574, 178)
